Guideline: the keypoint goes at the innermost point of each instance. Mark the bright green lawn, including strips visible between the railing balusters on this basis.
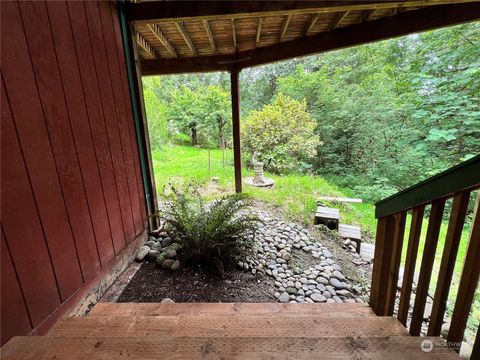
(297, 195)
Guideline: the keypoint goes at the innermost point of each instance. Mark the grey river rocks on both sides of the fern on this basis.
(301, 269)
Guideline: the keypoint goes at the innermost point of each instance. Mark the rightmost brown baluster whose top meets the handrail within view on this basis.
(449, 256)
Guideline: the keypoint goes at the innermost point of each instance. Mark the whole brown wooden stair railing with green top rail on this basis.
(457, 183)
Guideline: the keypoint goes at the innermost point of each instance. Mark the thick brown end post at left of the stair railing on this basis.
(384, 261)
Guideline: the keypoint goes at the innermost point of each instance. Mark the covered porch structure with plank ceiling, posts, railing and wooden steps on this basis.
(184, 37)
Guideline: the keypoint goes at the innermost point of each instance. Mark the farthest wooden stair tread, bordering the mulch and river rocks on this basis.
(208, 309)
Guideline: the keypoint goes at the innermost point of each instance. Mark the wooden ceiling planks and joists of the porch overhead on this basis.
(228, 29)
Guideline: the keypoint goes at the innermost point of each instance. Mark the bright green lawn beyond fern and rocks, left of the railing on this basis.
(296, 194)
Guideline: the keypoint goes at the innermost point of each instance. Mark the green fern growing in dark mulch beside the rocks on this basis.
(213, 234)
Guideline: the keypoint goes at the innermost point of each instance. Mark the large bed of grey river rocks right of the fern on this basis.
(318, 278)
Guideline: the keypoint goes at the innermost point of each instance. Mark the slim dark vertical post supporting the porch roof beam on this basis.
(237, 157)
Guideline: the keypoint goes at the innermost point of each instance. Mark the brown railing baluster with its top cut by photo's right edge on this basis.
(468, 281)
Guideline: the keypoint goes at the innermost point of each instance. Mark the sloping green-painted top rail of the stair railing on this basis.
(465, 175)
